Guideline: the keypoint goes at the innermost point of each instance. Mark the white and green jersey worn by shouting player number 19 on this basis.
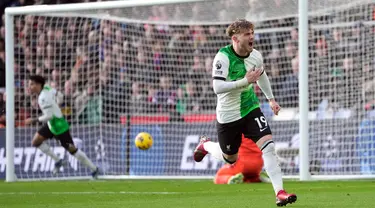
(229, 66)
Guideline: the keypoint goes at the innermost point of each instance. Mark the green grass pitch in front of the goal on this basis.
(181, 194)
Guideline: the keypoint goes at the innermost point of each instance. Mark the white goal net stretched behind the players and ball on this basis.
(136, 69)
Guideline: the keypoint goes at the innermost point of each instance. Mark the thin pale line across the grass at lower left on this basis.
(88, 193)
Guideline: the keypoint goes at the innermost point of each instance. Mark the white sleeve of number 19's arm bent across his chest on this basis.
(220, 68)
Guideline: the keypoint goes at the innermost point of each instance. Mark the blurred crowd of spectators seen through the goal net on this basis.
(106, 69)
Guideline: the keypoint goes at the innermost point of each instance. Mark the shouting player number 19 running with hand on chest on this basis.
(235, 68)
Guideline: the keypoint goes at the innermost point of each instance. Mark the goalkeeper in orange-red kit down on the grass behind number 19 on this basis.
(247, 169)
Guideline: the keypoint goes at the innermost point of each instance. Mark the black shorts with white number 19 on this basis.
(254, 126)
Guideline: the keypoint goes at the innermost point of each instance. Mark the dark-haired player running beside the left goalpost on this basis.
(55, 126)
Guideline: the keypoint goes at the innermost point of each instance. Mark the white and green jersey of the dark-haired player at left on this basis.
(47, 101)
